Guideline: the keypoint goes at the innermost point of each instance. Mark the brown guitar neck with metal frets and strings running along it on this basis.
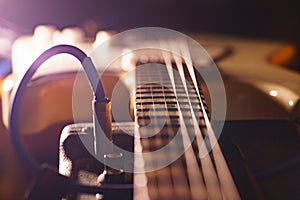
(172, 117)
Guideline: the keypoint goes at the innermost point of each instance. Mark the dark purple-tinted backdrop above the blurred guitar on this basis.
(255, 18)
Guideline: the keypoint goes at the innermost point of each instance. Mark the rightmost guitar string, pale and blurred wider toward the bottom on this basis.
(226, 181)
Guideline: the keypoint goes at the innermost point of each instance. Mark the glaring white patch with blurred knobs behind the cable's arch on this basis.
(26, 49)
